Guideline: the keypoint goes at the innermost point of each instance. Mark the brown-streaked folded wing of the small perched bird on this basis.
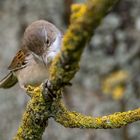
(19, 61)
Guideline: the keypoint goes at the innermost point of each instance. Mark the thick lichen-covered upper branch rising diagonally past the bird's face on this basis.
(84, 20)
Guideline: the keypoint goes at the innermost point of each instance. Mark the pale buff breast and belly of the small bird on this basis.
(33, 74)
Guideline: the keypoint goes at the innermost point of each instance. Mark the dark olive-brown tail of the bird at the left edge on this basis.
(8, 81)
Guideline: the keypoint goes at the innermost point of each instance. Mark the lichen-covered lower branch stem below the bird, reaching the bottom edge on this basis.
(35, 118)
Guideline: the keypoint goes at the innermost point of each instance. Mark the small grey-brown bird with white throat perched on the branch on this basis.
(40, 44)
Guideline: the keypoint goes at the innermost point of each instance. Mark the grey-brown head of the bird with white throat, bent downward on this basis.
(43, 39)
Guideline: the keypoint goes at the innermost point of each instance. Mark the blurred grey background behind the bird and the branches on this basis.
(109, 78)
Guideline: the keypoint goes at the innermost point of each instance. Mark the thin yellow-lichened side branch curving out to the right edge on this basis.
(77, 120)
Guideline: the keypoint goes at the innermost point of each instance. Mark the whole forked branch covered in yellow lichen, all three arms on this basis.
(84, 20)
